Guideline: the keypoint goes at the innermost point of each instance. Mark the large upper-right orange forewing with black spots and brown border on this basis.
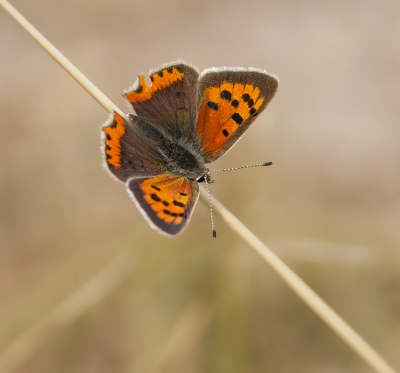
(229, 99)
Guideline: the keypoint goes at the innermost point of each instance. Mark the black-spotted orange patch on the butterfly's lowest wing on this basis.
(167, 197)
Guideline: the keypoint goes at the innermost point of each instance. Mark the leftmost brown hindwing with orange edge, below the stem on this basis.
(128, 149)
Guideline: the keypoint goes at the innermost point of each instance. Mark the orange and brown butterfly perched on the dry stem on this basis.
(184, 120)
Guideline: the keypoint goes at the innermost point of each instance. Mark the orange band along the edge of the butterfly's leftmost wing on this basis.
(114, 132)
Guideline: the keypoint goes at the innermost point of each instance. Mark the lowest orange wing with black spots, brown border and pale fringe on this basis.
(165, 201)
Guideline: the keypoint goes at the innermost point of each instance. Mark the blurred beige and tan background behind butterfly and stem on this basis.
(329, 206)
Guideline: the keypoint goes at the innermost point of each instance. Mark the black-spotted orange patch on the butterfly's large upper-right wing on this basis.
(223, 109)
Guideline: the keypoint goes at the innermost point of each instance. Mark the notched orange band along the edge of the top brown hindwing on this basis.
(160, 79)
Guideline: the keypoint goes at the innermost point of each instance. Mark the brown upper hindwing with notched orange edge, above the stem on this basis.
(169, 103)
